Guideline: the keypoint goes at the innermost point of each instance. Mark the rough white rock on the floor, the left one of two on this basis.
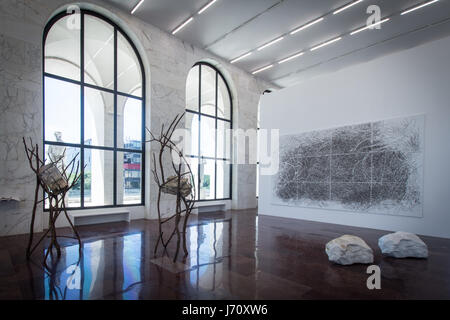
(349, 249)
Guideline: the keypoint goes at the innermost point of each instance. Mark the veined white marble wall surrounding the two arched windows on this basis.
(167, 61)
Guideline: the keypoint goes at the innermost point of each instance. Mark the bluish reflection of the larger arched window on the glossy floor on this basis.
(87, 277)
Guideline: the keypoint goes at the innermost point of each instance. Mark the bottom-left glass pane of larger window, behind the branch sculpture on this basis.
(67, 154)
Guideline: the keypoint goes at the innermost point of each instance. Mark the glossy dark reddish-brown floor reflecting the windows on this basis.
(233, 255)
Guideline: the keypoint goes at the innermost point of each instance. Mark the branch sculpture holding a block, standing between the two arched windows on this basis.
(179, 184)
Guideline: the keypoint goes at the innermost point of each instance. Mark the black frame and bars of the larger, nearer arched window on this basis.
(116, 93)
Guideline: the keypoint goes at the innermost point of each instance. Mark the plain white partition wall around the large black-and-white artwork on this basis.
(406, 83)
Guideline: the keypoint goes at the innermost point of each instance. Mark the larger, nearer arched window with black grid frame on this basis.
(94, 106)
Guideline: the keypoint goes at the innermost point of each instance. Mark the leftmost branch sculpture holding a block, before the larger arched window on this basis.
(56, 184)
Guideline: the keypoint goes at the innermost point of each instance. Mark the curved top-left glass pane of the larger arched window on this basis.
(62, 48)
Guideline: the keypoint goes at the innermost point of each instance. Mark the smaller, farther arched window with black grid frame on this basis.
(209, 119)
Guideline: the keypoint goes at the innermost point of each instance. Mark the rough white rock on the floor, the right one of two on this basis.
(403, 245)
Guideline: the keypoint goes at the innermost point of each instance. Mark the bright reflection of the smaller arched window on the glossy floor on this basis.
(209, 247)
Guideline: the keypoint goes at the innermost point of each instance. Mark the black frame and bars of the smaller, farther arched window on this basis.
(215, 117)
